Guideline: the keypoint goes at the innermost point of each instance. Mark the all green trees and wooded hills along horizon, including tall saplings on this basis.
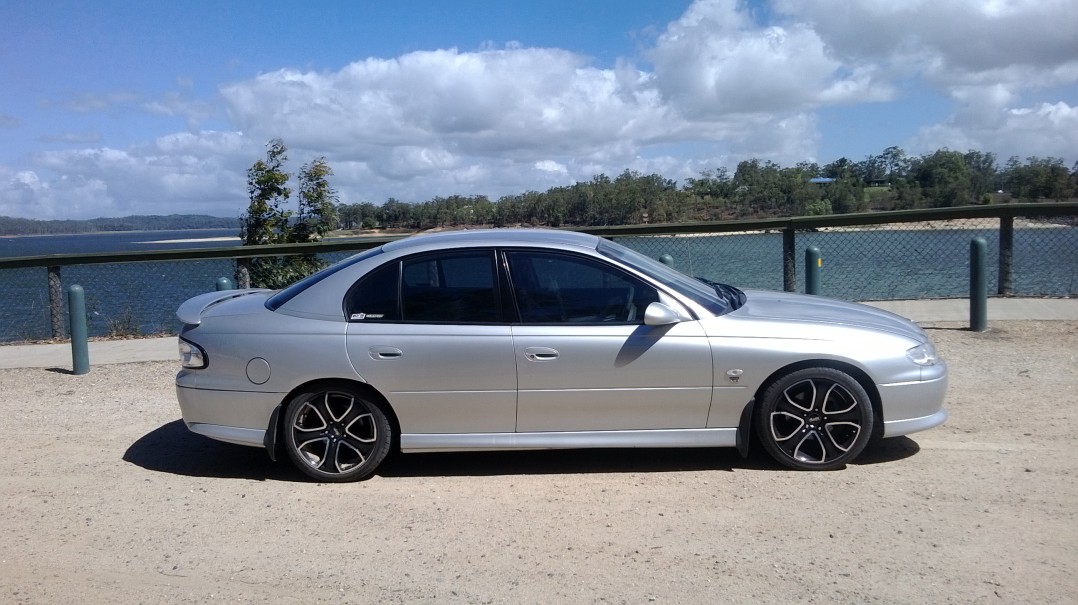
(757, 188)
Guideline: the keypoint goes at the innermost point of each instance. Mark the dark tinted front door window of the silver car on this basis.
(564, 288)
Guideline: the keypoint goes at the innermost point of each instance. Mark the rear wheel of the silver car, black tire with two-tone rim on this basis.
(333, 433)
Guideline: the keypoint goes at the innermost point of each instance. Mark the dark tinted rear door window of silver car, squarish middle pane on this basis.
(454, 287)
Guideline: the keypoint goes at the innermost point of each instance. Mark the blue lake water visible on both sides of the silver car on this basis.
(873, 265)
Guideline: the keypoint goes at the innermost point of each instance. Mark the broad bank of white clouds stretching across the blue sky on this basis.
(718, 86)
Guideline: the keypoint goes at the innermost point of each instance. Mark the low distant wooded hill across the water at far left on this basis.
(11, 226)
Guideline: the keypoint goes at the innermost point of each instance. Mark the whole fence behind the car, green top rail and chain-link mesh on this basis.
(875, 256)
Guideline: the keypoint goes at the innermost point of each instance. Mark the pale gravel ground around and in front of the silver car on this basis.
(107, 498)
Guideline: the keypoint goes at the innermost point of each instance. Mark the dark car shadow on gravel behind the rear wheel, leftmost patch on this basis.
(175, 450)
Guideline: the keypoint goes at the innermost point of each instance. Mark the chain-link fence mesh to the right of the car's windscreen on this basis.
(893, 262)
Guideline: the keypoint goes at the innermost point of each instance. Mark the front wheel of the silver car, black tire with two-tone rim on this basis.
(816, 419)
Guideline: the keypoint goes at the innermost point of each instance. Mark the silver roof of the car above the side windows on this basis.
(493, 238)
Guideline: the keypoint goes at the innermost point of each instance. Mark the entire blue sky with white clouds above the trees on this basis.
(126, 107)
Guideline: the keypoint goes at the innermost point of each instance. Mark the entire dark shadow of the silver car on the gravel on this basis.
(175, 450)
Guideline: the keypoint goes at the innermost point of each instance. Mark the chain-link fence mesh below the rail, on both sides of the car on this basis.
(887, 262)
